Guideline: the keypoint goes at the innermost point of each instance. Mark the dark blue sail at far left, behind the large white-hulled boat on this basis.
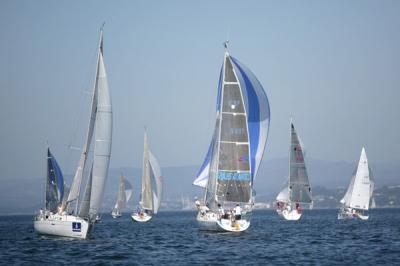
(54, 184)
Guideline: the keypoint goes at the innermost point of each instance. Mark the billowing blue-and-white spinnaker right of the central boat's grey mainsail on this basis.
(256, 112)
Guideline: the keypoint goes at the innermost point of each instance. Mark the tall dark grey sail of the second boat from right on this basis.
(299, 186)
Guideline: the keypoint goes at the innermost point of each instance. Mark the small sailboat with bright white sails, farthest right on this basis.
(358, 194)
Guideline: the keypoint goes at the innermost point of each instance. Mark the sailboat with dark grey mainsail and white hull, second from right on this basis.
(297, 190)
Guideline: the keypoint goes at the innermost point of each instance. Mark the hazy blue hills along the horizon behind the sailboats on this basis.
(26, 195)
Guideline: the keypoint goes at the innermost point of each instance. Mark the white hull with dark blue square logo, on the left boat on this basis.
(61, 225)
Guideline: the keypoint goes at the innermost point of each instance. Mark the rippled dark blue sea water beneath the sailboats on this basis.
(173, 238)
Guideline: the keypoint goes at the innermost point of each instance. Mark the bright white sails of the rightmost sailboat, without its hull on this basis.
(361, 187)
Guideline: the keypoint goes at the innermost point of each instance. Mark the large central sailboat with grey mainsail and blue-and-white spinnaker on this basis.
(241, 128)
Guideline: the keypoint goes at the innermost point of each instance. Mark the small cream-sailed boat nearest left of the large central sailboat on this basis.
(151, 186)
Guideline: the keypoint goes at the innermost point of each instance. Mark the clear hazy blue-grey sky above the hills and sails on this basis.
(332, 65)
